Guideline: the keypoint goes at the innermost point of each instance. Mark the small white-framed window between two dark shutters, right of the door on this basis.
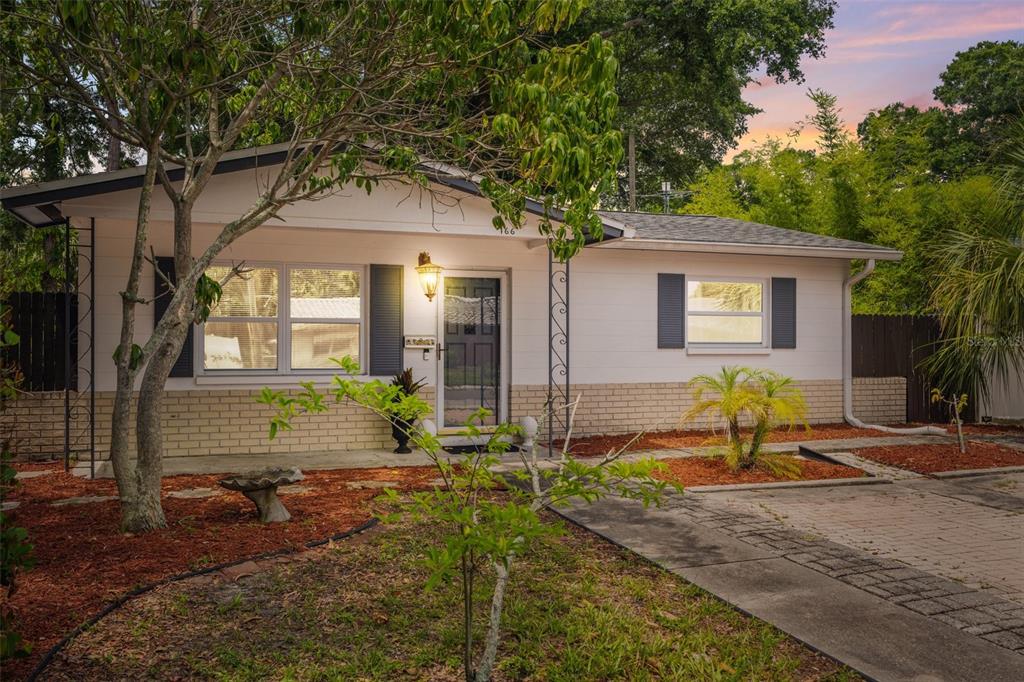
(726, 312)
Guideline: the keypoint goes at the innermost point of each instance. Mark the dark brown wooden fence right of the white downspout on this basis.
(895, 347)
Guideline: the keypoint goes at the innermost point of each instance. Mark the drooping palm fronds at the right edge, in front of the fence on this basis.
(979, 295)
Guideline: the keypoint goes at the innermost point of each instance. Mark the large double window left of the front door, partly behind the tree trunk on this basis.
(250, 329)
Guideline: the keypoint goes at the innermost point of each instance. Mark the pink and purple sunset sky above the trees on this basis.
(881, 52)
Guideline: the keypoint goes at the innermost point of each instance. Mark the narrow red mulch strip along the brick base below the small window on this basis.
(598, 446)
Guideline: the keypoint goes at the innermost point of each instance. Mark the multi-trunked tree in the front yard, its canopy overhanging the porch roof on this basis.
(362, 92)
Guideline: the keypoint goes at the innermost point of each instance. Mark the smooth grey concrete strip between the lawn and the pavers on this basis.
(882, 641)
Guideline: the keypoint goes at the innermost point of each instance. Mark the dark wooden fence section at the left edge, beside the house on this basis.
(39, 320)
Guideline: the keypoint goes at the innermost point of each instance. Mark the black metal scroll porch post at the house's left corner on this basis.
(80, 404)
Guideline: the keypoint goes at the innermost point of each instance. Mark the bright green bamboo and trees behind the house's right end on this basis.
(910, 177)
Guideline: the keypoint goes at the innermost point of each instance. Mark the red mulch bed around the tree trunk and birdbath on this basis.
(83, 562)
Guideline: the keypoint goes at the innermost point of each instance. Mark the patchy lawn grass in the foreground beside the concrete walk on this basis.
(578, 610)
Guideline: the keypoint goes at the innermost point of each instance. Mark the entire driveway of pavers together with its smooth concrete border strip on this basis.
(869, 575)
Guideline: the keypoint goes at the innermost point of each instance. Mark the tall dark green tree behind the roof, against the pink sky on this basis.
(684, 66)
